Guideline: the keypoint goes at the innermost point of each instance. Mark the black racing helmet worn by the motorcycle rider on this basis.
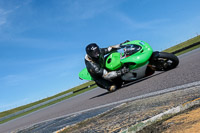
(93, 51)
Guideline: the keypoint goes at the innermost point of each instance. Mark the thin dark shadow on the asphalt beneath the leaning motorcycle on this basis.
(129, 84)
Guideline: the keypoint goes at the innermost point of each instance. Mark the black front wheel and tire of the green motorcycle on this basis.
(163, 61)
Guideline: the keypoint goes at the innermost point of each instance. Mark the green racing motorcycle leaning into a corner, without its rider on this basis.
(139, 57)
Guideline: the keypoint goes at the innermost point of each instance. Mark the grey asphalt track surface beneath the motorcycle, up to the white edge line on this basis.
(188, 71)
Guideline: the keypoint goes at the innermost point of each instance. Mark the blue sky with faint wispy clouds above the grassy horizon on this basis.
(42, 42)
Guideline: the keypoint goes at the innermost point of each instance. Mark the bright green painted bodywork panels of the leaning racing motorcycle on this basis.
(114, 61)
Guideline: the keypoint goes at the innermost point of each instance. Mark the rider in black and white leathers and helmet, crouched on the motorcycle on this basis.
(95, 63)
